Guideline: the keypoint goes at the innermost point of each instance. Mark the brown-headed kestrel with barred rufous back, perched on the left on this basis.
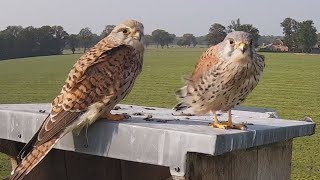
(99, 80)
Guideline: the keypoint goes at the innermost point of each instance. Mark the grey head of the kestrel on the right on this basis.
(238, 45)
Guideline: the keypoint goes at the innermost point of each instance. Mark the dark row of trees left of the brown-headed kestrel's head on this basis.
(17, 42)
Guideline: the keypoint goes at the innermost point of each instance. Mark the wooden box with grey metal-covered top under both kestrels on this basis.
(156, 145)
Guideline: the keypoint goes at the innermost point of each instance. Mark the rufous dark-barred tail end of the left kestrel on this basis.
(32, 159)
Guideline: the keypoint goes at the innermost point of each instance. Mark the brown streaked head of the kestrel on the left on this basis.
(129, 32)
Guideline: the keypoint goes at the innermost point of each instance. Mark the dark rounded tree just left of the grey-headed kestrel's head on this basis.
(217, 33)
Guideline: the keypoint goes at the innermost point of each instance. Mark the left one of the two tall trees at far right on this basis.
(290, 31)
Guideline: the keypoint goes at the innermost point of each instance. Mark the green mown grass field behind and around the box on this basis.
(291, 85)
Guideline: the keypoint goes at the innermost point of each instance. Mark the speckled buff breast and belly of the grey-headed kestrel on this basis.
(229, 85)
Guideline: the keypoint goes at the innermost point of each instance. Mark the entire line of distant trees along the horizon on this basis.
(17, 42)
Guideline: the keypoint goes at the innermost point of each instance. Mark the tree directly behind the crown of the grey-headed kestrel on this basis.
(249, 28)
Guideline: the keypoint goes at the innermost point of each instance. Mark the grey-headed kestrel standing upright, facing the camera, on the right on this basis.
(223, 77)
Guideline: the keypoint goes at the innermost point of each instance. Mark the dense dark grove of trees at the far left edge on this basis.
(16, 41)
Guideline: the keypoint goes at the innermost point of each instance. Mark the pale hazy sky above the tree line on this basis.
(175, 16)
